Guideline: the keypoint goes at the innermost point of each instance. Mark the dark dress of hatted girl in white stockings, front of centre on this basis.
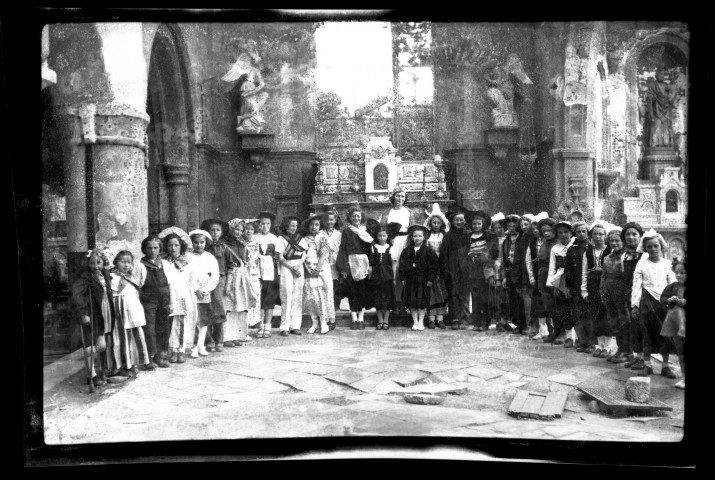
(417, 268)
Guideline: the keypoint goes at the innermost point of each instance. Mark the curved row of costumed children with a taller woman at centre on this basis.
(562, 283)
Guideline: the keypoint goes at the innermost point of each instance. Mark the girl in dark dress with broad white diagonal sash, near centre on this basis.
(353, 263)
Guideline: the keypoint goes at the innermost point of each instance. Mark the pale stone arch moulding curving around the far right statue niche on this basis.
(629, 65)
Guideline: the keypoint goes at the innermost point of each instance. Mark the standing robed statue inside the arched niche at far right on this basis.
(661, 101)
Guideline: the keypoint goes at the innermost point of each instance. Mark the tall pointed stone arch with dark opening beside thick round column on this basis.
(171, 132)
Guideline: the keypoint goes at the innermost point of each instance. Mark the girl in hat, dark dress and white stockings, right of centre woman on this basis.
(418, 269)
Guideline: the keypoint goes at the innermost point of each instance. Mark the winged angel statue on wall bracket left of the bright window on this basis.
(247, 96)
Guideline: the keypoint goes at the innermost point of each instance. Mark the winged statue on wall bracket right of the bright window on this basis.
(505, 83)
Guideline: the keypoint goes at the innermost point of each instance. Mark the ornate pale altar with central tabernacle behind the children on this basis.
(370, 177)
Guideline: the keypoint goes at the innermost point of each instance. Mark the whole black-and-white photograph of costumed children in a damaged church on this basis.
(327, 225)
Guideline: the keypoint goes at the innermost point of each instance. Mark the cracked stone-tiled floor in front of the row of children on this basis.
(349, 383)
